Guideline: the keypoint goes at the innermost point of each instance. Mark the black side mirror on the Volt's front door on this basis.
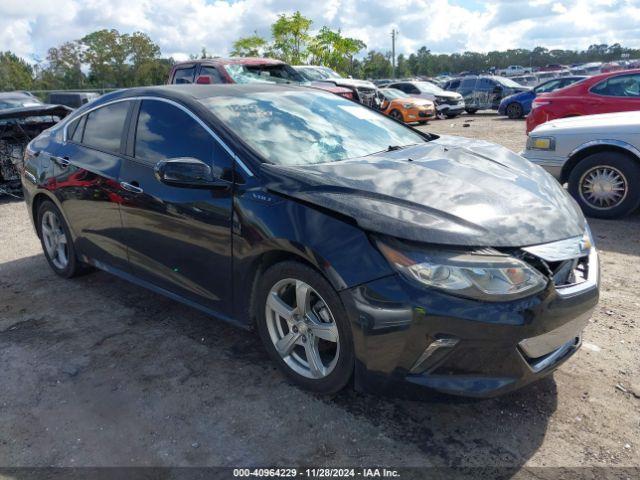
(188, 173)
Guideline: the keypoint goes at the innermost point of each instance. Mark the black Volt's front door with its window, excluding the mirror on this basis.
(178, 239)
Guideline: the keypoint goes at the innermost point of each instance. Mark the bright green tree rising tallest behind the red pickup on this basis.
(290, 37)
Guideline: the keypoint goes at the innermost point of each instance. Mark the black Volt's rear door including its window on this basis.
(86, 169)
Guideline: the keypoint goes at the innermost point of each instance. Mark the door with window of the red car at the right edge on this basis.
(620, 93)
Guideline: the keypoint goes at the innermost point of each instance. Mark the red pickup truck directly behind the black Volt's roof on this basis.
(245, 70)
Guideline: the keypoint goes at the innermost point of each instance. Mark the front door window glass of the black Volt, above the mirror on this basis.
(164, 131)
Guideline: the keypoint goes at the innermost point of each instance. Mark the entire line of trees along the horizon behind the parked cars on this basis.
(110, 59)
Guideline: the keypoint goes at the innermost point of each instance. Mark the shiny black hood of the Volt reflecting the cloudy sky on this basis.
(452, 190)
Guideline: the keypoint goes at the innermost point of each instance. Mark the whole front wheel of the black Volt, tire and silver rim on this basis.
(304, 327)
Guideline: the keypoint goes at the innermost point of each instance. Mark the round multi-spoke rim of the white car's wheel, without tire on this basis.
(603, 187)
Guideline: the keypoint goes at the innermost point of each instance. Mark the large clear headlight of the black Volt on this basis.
(490, 278)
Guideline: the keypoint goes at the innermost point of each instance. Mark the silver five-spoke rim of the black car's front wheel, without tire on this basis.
(302, 328)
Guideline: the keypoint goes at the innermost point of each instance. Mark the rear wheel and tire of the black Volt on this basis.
(57, 242)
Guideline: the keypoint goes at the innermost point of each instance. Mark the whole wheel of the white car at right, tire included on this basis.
(606, 184)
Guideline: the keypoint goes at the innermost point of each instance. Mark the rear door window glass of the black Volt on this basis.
(103, 127)
